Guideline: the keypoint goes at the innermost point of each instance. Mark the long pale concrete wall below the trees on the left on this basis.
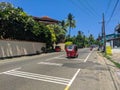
(9, 48)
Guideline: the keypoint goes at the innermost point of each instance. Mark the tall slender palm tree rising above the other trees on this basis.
(70, 22)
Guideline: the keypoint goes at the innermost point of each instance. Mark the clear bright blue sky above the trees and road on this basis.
(87, 13)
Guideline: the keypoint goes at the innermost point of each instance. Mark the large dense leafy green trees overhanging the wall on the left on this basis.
(16, 24)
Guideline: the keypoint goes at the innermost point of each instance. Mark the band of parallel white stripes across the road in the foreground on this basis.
(40, 77)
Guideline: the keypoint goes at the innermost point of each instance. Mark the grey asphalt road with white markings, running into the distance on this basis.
(53, 71)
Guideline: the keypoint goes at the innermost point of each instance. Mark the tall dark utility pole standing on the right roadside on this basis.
(103, 33)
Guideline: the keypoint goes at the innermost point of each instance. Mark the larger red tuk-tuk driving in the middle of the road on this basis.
(71, 51)
